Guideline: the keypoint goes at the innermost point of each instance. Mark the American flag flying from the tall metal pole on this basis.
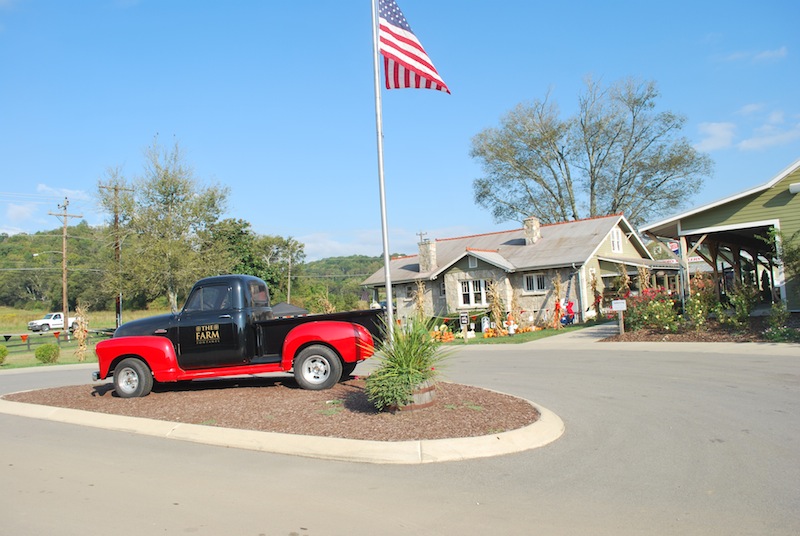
(405, 62)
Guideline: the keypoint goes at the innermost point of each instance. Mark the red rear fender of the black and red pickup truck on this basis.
(352, 342)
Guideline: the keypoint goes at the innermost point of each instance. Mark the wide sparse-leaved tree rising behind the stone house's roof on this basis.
(617, 155)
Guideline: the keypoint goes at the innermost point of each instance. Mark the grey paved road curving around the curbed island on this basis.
(660, 439)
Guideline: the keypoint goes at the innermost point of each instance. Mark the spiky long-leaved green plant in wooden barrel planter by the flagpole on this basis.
(408, 361)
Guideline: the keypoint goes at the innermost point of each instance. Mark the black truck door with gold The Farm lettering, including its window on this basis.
(207, 333)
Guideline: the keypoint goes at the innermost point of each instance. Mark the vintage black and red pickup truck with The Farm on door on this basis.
(227, 328)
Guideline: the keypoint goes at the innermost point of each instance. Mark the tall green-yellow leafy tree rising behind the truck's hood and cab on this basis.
(170, 218)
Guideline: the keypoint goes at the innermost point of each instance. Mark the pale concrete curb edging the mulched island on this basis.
(547, 429)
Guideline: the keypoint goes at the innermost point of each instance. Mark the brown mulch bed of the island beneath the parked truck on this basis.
(272, 404)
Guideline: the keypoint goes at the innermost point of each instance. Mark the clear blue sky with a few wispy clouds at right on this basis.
(275, 100)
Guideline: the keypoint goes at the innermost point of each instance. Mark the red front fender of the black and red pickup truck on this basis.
(157, 352)
